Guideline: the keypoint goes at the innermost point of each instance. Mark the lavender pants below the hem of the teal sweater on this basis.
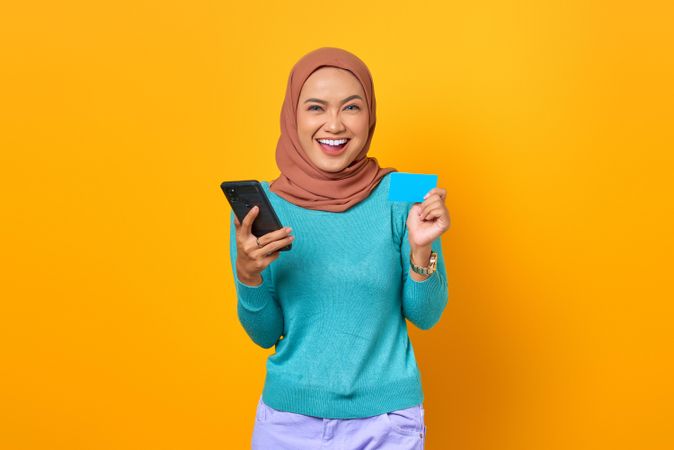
(403, 429)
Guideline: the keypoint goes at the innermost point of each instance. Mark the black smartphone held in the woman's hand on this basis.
(242, 196)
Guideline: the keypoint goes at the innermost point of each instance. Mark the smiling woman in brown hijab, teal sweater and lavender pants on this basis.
(344, 373)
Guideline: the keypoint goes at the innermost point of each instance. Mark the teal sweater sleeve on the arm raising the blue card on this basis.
(422, 301)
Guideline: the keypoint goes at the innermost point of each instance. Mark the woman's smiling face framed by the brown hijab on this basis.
(332, 107)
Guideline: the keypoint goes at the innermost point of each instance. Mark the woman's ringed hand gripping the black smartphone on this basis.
(251, 260)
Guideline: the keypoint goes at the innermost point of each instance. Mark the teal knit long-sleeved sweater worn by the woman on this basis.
(335, 307)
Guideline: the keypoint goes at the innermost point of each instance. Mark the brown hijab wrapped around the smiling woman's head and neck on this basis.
(301, 182)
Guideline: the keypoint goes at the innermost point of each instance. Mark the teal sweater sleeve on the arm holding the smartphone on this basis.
(258, 310)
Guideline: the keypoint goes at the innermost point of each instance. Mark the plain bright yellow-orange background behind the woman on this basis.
(550, 124)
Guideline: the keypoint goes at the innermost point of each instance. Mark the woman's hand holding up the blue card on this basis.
(428, 220)
